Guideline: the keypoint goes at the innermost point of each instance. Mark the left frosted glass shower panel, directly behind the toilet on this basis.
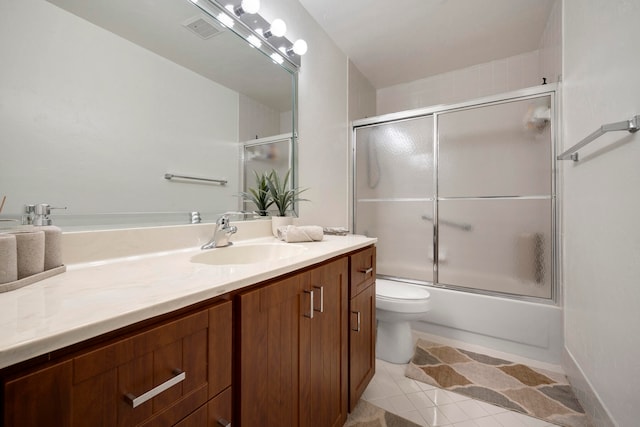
(394, 195)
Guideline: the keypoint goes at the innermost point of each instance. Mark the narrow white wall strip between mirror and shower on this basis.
(323, 124)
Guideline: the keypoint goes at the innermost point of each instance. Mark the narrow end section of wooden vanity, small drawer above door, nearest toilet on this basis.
(362, 322)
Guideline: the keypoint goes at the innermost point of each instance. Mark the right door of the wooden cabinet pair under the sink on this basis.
(324, 348)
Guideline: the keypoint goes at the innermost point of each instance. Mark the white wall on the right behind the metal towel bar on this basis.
(602, 206)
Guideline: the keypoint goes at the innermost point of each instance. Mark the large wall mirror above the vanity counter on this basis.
(100, 100)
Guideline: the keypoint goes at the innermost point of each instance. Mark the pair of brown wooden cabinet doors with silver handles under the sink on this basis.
(292, 347)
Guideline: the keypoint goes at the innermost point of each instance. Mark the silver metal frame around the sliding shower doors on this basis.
(550, 90)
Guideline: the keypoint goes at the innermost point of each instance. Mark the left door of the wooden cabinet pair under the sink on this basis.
(266, 385)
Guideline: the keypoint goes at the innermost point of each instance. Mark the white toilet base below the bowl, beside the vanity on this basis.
(394, 342)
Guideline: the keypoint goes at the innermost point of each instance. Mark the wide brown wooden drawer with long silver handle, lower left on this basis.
(156, 377)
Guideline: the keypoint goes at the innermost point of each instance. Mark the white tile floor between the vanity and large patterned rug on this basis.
(430, 406)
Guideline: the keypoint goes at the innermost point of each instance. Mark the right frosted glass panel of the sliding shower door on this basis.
(495, 198)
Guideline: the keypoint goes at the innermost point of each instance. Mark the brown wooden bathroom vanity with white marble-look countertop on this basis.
(288, 343)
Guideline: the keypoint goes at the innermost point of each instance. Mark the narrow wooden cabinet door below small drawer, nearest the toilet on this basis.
(362, 343)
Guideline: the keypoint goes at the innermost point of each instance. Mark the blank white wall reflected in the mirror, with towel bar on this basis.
(88, 118)
